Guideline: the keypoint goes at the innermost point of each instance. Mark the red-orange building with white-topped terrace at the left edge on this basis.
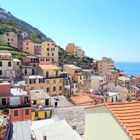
(17, 101)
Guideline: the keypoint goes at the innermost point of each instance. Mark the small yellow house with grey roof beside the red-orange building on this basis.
(41, 105)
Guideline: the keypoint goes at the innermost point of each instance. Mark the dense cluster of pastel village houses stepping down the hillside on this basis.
(37, 88)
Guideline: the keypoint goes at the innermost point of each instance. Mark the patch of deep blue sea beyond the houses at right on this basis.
(129, 68)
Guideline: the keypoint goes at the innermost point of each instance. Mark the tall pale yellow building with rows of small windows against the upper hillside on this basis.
(50, 50)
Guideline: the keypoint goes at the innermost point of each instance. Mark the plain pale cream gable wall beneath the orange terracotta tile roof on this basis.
(101, 125)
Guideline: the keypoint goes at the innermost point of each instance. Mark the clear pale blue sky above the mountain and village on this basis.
(108, 28)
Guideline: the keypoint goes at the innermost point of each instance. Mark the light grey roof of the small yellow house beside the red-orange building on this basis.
(39, 94)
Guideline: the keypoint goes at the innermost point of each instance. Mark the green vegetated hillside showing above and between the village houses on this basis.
(8, 22)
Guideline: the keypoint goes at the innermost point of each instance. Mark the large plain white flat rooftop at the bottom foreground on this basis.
(56, 131)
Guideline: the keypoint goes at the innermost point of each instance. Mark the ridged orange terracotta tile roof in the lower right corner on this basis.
(128, 115)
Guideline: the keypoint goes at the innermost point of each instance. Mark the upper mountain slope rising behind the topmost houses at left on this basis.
(8, 22)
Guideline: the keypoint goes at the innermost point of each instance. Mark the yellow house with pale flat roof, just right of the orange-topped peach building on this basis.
(76, 72)
